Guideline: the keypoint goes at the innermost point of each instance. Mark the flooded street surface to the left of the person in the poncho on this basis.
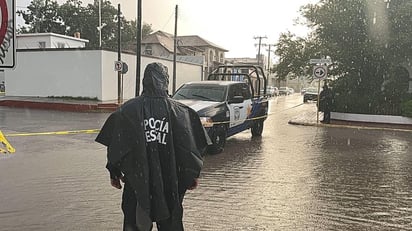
(55, 182)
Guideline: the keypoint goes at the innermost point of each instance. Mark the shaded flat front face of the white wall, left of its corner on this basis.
(55, 73)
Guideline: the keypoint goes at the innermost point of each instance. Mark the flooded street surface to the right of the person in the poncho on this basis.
(296, 176)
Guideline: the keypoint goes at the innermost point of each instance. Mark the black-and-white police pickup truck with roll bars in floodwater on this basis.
(228, 102)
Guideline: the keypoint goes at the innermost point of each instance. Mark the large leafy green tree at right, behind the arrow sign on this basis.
(367, 41)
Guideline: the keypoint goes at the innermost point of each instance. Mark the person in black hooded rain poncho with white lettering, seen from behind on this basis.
(155, 145)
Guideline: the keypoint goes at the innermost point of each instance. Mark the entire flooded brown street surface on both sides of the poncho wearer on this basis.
(293, 178)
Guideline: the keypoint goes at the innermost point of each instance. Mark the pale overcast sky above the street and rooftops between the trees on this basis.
(231, 24)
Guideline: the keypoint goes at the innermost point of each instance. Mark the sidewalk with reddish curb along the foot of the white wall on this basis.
(59, 104)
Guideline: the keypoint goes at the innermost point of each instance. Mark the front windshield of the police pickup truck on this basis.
(201, 92)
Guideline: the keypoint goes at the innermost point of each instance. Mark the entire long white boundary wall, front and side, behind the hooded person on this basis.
(83, 73)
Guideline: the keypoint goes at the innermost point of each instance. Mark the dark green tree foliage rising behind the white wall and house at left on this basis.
(43, 16)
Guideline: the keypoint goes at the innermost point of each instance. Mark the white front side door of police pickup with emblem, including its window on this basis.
(239, 111)
